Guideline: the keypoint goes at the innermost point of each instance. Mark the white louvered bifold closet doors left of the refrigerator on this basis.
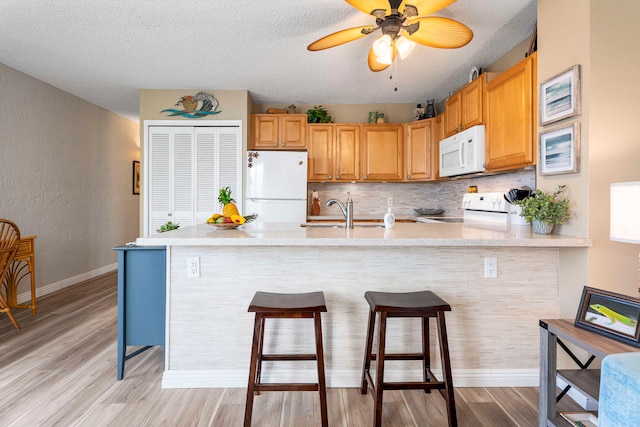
(187, 167)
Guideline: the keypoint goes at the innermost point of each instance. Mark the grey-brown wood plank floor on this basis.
(60, 370)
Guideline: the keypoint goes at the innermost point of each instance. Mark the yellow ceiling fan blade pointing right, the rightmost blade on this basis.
(440, 32)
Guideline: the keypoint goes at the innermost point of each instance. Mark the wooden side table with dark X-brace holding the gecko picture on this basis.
(587, 381)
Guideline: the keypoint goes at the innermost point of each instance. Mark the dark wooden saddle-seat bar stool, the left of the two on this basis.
(289, 306)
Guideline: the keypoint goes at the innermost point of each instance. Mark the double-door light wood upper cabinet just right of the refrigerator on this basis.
(334, 152)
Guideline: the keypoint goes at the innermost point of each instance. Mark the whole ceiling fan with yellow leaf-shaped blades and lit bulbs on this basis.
(402, 23)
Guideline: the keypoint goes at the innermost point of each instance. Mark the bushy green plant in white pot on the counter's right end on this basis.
(543, 210)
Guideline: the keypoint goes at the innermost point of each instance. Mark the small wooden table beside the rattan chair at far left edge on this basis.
(23, 265)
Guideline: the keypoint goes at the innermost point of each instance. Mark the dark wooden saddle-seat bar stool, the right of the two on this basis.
(423, 304)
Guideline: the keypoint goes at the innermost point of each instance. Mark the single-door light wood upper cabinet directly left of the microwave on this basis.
(419, 146)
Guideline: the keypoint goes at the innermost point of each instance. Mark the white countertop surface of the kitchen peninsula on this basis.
(402, 235)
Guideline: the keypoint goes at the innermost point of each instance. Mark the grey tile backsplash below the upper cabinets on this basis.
(370, 199)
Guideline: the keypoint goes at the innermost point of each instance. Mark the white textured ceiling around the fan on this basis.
(105, 51)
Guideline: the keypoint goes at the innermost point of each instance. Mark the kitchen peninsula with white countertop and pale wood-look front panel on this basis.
(493, 326)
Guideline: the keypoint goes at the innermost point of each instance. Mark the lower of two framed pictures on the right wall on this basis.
(559, 150)
